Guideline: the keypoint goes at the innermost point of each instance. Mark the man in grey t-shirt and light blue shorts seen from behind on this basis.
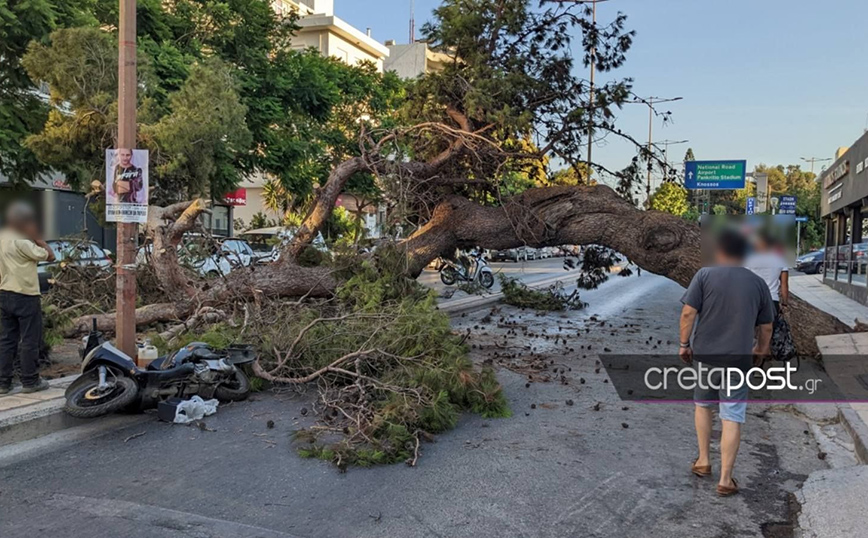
(727, 304)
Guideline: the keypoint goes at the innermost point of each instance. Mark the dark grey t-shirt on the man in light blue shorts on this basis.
(731, 302)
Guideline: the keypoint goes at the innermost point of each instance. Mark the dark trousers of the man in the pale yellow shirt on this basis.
(20, 336)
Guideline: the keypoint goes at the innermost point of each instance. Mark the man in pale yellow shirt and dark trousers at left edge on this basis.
(21, 249)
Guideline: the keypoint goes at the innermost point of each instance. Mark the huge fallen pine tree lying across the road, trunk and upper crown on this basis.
(506, 104)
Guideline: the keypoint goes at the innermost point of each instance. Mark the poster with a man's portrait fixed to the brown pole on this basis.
(126, 185)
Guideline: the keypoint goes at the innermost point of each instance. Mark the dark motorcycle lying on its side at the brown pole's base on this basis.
(111, 381)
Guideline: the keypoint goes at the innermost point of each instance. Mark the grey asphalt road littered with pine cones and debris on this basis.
(552, 470)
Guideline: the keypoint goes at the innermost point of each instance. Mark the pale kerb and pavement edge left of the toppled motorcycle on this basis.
(36, 419)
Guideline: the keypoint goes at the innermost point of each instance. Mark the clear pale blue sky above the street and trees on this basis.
(769, 81)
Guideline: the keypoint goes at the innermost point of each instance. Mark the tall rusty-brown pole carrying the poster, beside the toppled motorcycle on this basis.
(125, 328)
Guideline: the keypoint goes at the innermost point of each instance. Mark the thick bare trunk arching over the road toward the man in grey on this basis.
(658, 242)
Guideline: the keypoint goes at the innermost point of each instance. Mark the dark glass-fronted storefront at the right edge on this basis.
(844, 207)
